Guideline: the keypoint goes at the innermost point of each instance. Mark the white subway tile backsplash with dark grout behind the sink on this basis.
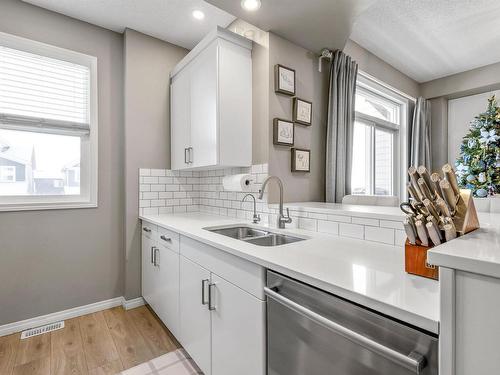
(163, 191)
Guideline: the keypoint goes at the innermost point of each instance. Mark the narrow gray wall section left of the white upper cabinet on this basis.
(148, 62)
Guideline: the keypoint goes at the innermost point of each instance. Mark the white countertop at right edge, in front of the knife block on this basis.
(477, 251)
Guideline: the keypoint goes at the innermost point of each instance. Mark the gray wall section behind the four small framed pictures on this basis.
(311, 85)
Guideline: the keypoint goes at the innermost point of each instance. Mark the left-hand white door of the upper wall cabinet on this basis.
(180, 123)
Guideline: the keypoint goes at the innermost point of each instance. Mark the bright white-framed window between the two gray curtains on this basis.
(378, 149)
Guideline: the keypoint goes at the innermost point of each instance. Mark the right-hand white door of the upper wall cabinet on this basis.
(203, 102)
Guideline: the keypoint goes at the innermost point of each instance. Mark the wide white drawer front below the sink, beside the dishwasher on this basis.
(240, 272)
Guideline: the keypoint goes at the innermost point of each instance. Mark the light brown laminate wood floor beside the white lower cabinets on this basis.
(101, 343)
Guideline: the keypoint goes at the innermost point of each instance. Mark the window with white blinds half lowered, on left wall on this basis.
(48, 126)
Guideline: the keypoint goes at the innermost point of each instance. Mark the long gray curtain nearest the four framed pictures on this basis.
(339, 128)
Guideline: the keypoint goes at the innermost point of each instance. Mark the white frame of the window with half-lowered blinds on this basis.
(88, 197)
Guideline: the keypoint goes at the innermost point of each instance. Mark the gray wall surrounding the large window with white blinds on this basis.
(55, 260)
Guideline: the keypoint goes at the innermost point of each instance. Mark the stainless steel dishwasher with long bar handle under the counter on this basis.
(312, 332)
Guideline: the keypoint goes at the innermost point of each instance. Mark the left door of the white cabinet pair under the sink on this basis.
(194, 315)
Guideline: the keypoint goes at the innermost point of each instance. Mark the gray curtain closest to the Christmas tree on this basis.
(420, 134)
